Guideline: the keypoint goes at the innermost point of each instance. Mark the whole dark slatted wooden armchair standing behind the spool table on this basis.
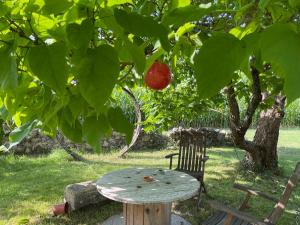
(192, 155)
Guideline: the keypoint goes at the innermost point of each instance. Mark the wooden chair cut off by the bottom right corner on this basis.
(229, 216)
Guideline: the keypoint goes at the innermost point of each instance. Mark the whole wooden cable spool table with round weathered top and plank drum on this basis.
(147, 195)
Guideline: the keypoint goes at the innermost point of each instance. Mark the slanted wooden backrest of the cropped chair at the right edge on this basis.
(280, 206)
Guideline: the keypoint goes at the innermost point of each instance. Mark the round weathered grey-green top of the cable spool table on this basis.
(129, 186)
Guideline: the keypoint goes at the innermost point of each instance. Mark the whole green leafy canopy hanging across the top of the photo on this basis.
(61, 59)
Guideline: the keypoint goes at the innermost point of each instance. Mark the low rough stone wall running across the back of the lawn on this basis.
(37, 143)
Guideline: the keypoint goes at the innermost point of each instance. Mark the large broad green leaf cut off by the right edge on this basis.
(280, 45)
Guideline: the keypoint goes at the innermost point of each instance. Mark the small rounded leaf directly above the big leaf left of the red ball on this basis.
(79, 35)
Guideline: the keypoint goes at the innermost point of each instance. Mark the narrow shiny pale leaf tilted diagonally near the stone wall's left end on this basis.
(18, 134)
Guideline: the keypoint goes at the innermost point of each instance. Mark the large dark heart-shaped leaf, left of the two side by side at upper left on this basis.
(49, 64)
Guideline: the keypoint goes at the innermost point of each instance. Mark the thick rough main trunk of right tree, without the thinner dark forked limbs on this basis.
(266, 137)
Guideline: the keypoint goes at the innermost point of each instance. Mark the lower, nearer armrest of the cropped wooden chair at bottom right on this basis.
(241, 215)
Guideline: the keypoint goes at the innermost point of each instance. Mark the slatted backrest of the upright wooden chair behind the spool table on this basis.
(192, 150)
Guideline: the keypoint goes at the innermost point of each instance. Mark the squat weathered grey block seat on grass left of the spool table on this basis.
(79, 195)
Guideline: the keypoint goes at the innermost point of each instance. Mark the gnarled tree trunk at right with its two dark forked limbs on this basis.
(261, 153)
